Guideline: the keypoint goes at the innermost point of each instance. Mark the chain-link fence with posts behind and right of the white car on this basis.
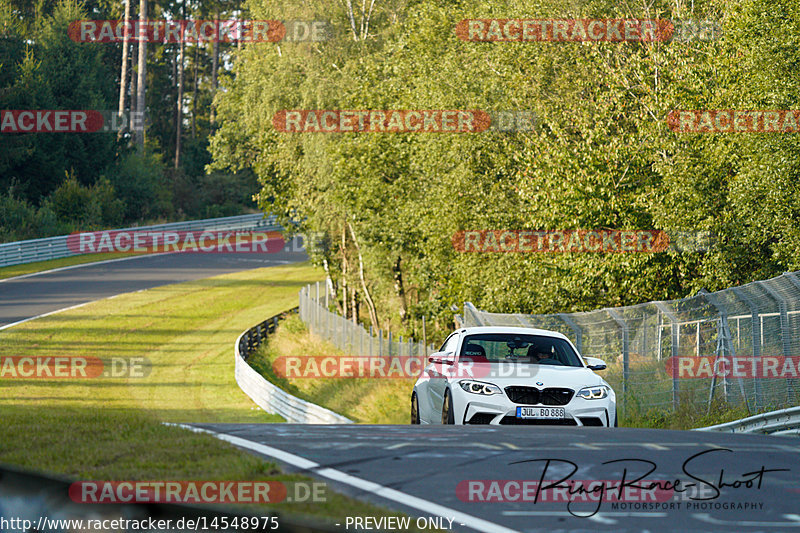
(739, 344)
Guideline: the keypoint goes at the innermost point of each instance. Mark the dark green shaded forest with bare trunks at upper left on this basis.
(55, 183)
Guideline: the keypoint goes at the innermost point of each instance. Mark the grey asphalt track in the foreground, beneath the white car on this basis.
(429, 462)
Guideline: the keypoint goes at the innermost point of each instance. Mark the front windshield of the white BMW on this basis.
(517, 348)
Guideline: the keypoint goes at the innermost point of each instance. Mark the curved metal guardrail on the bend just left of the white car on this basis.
(268, 396)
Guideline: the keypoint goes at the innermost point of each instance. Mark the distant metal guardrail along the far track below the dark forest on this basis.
(21, 252)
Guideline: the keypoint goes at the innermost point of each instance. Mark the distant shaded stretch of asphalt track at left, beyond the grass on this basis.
(30, 296)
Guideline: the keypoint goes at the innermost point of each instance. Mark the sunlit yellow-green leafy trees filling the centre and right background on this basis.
(601, 156)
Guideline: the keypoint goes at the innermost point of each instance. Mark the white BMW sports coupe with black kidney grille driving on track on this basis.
(513, 376)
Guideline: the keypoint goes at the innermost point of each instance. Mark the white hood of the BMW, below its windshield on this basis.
(504, 375)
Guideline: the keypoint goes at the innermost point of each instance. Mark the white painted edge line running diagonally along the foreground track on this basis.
(402, 498)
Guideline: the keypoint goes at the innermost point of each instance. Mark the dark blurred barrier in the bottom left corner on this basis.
(33, 497)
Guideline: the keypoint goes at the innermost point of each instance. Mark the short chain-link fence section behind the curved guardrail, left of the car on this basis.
(348, 335)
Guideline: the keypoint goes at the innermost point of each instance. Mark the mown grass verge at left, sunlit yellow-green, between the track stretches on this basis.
(112, 429)
